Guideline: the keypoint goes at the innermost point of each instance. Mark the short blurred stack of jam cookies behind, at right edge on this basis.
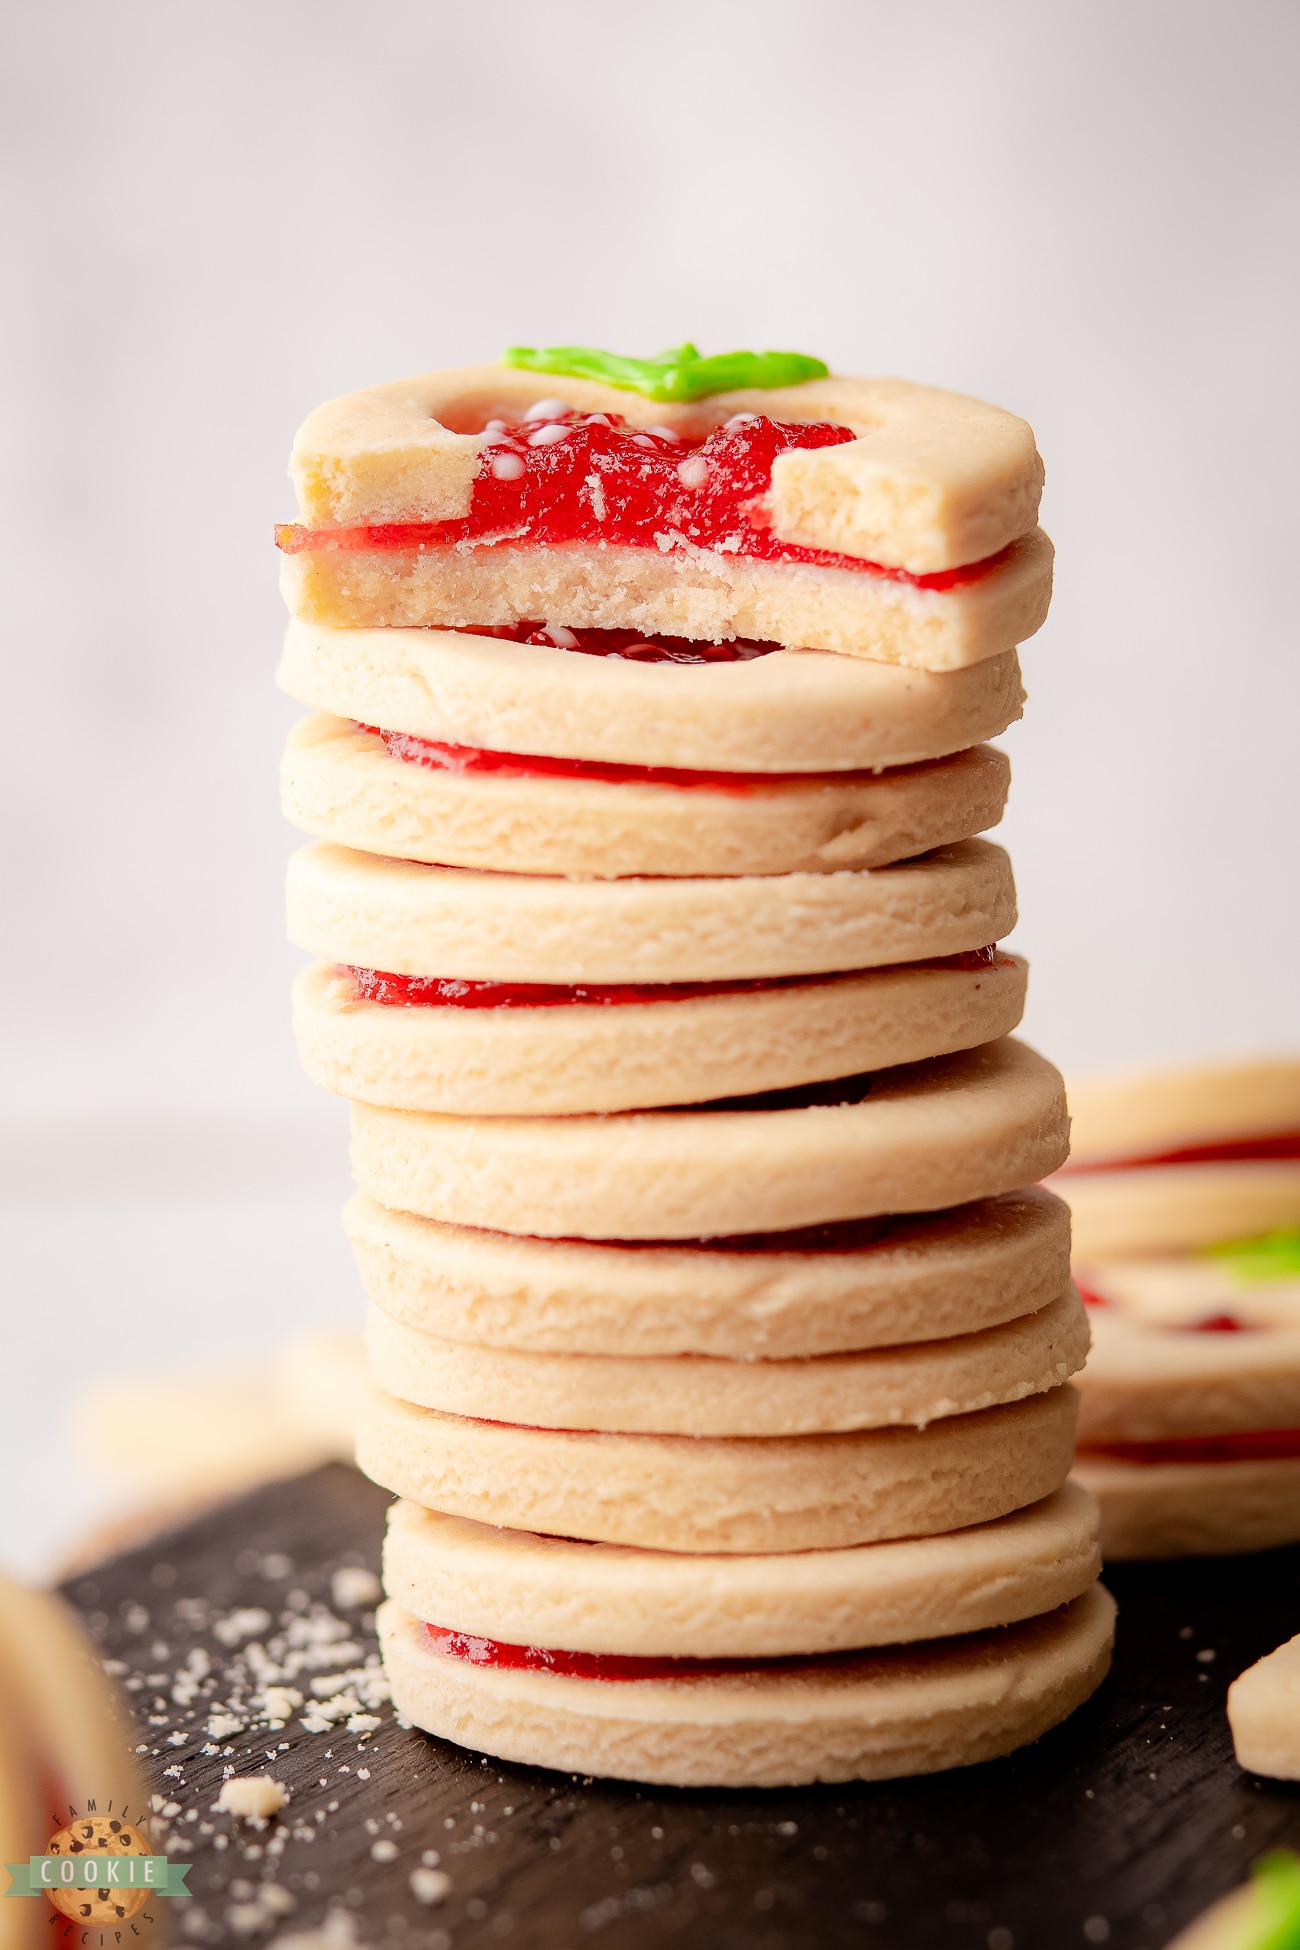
(1186, 1192)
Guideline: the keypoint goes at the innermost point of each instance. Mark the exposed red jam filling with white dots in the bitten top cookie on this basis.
(595, 479)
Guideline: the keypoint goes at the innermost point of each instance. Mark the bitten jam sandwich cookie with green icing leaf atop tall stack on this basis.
(868, 518)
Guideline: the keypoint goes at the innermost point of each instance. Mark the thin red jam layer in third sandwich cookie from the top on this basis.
(440, 992)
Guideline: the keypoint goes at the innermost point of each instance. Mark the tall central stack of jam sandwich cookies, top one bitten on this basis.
(720, 1354)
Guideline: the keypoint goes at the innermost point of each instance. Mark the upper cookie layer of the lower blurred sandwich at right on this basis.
(1149, 1384)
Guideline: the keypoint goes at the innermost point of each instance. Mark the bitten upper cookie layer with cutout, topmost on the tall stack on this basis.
(931, 481)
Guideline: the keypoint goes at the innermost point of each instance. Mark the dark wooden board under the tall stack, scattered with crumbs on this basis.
(1118, 1828)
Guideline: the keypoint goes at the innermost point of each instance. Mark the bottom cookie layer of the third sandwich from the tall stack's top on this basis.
(634, 1056)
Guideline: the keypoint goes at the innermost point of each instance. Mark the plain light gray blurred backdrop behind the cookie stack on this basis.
(221, 215)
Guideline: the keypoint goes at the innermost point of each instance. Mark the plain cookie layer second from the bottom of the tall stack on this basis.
(533, 1590)
